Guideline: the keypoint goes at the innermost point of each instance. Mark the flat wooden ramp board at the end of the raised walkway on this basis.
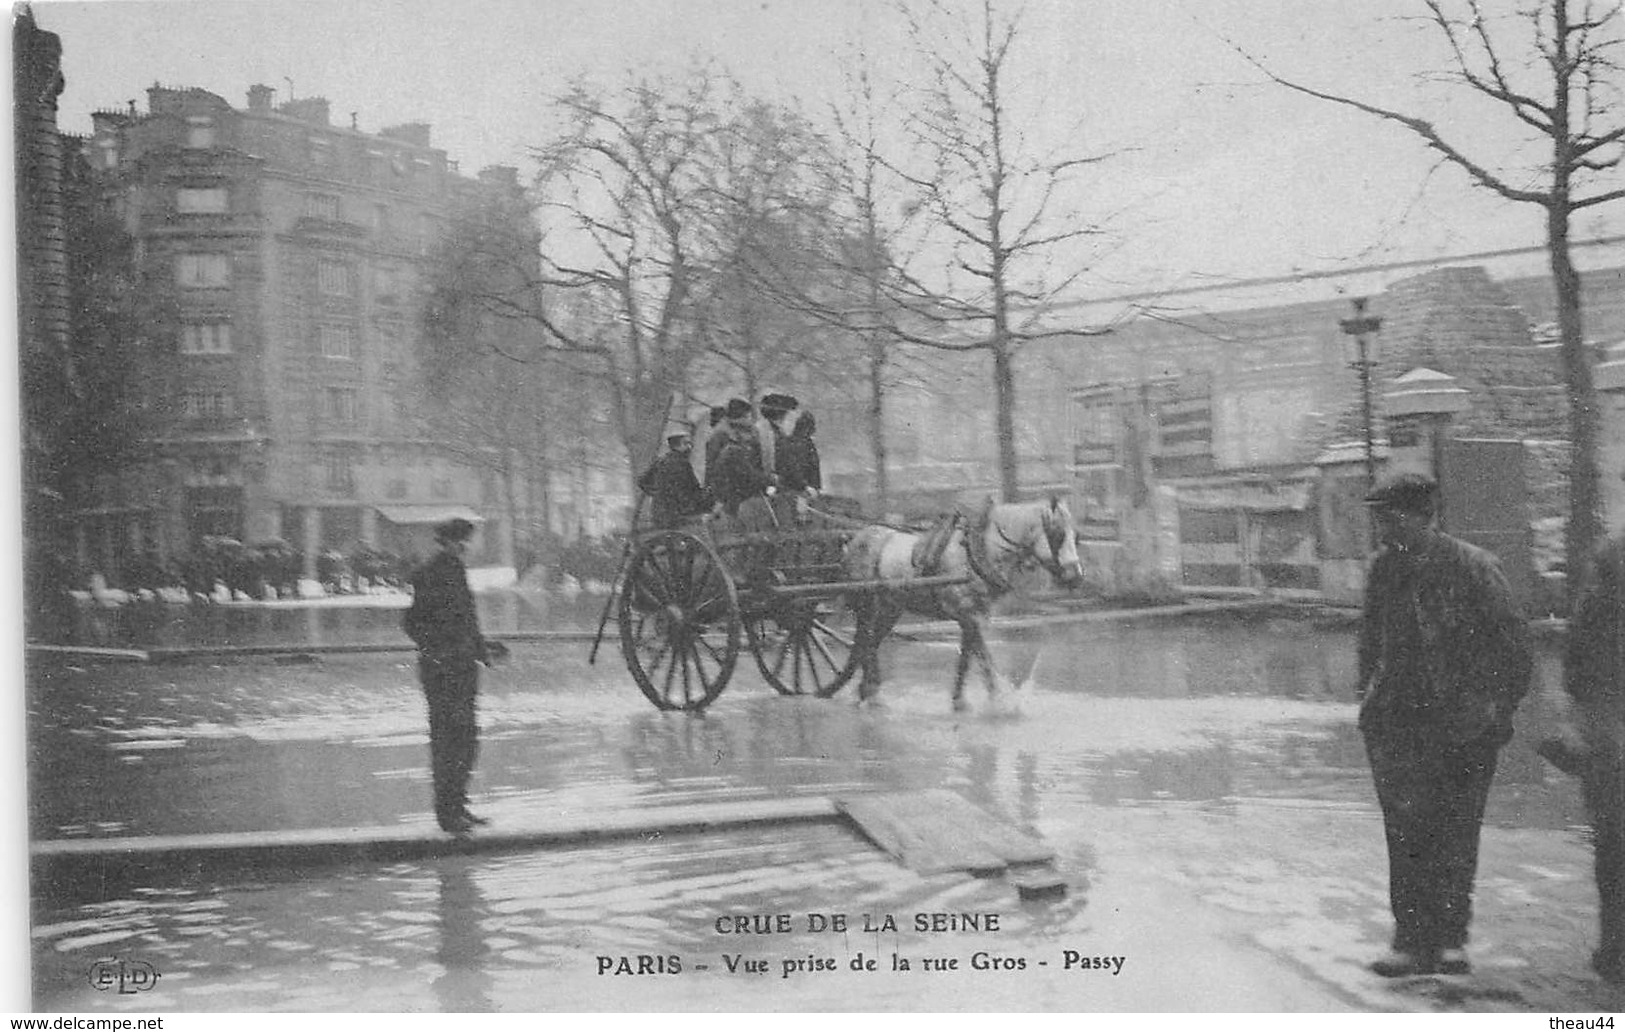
(938, 831)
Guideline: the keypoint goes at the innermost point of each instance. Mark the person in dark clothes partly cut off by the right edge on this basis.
(1595, 679)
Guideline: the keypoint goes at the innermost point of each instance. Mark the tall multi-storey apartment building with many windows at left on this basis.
(288, 254)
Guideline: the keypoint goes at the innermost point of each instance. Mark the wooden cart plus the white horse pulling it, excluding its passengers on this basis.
(813, 601)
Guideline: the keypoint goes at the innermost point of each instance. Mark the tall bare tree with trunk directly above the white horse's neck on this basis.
(997, 202)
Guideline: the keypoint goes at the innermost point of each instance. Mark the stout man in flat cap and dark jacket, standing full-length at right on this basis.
(1444, 662)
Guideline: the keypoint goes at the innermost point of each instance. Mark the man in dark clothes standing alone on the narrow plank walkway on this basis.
(444, 627)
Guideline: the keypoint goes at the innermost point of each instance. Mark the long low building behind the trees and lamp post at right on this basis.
(1213, 448)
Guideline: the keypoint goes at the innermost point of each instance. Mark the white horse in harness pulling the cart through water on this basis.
(987, 553)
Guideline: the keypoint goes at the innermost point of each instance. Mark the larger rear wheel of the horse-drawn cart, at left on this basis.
(680, 622)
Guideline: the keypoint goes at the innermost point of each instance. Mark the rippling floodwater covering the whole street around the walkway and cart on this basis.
(1202, 781)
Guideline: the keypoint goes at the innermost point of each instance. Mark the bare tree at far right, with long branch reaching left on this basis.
(1554, 69)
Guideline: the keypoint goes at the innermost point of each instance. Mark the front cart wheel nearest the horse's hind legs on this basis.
(805, 648)
